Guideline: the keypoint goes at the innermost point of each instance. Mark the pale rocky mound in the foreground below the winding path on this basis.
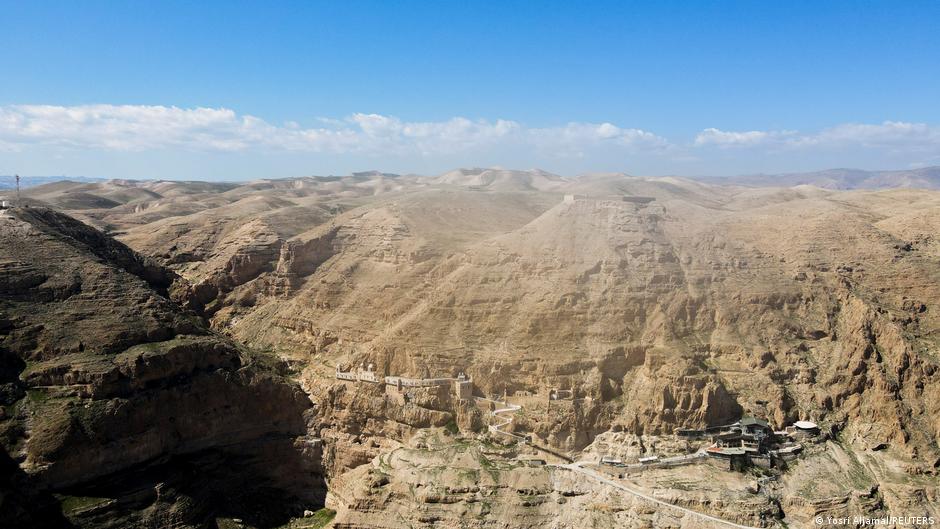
(474, 486)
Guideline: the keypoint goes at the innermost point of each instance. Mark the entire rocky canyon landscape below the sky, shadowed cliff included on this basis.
(168, 350)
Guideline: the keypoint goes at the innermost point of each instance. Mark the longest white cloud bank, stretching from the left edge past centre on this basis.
(139, 128)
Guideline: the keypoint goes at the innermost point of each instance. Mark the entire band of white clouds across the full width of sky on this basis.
(136, 128)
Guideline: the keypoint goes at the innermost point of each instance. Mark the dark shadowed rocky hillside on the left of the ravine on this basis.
(120, 408)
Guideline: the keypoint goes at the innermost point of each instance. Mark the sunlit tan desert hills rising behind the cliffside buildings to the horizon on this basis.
(660, 303)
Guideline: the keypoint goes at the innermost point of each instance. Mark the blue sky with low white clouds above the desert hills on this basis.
(233, 90)
